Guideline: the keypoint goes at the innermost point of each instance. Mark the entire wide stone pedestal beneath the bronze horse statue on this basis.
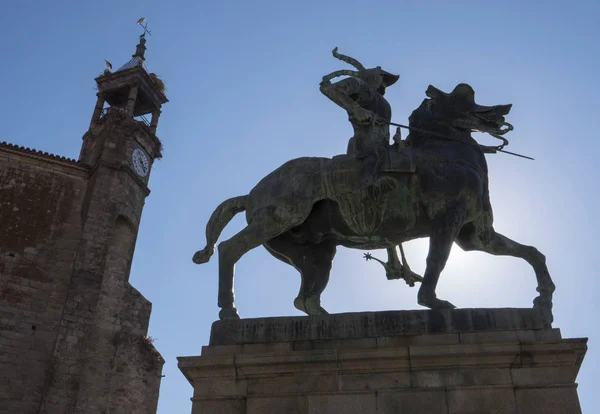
(467, 361)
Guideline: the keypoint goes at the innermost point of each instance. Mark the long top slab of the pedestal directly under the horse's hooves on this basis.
(374, 325)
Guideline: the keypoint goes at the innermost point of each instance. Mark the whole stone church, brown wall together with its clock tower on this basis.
(73, 331)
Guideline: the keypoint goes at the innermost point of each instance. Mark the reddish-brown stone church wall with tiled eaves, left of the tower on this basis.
(40, 226)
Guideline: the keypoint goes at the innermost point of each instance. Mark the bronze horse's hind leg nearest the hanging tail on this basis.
(230, 251)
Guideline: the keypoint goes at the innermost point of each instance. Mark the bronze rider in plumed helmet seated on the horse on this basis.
(361, 95)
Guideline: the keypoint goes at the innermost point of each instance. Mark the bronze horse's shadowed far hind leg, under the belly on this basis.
(313, 261)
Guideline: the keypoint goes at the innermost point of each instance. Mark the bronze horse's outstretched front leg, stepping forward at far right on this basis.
(500, 245)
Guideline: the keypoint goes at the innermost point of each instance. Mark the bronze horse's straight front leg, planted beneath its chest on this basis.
(444, 231)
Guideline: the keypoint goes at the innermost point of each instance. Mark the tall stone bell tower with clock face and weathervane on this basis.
(118, 152)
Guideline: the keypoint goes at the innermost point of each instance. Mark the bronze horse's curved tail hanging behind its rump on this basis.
(217, 222)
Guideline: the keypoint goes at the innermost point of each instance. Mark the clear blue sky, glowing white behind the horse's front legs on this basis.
(242, 78)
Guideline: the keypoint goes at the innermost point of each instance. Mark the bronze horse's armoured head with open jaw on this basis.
(456, 114)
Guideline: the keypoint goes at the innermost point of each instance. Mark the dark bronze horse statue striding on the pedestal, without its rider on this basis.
(307, 207)
